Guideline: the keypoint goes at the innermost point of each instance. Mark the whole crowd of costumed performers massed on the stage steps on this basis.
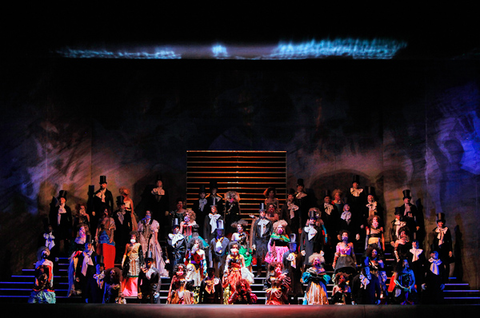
(211, 249)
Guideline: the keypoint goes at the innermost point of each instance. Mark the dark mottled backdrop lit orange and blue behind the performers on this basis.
(397, 124)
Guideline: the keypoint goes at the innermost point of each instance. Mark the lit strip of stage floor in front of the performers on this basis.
(236, 311)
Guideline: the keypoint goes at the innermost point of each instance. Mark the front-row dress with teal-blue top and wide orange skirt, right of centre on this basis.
(317, 280)
